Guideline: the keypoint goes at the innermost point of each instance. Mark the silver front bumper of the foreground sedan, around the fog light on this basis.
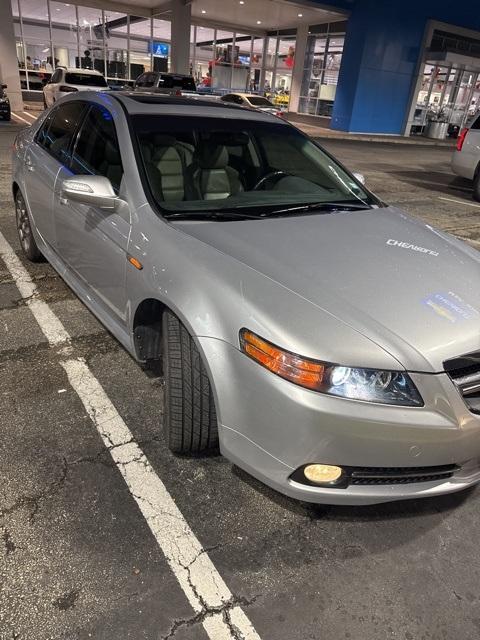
(270, 428)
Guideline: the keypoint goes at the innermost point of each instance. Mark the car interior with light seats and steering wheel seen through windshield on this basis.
(202, 165)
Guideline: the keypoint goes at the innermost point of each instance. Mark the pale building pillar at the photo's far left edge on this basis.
(9, 74)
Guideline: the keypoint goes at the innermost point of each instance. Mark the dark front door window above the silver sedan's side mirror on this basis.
(97, 151)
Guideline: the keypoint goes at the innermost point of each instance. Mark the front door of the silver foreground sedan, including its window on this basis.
(93, 242)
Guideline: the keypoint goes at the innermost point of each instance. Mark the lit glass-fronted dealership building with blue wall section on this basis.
(364, 66)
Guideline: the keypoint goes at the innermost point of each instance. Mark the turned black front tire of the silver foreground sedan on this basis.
(190, 419)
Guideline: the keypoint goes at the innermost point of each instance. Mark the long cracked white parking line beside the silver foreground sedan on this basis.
(205, 589)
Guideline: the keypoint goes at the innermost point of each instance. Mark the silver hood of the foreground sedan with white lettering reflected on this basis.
(408, 287)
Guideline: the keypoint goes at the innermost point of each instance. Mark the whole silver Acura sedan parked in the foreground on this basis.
(327, 343)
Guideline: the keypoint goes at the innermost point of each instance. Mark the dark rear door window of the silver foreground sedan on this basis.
(57, 133)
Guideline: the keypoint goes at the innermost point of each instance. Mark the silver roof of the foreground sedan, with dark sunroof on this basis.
(144, 103)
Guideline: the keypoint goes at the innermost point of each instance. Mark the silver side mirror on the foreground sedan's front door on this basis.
(95, 191)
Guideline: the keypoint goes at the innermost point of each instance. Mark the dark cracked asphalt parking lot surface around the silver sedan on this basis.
(79, 558)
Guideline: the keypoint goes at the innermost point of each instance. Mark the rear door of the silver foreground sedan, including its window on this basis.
(43, 159)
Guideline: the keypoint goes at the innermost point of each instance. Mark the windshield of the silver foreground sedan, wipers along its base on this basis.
(205, 164)
